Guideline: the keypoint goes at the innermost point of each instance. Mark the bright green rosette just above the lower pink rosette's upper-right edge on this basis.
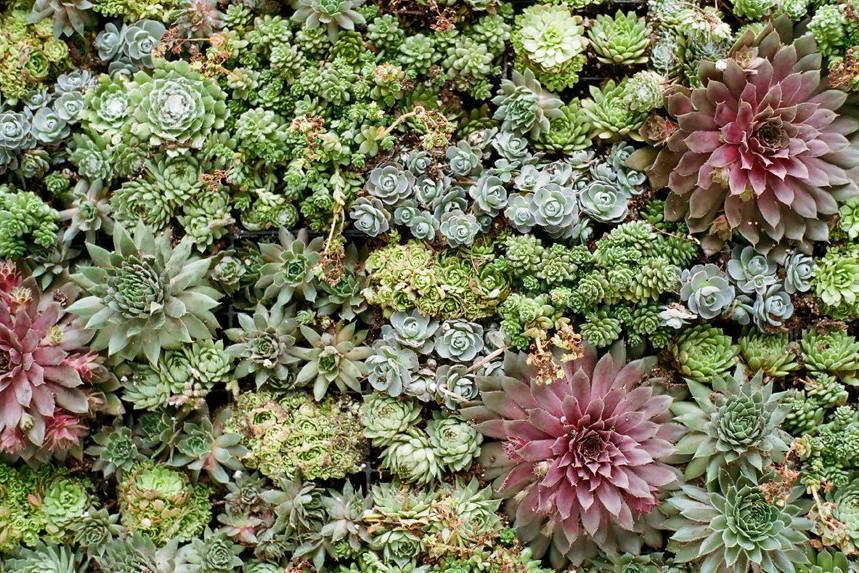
(704, 352)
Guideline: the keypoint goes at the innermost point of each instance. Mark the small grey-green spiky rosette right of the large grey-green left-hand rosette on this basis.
(290, 267)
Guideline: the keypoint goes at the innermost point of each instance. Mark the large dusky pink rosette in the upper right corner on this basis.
(763, 149)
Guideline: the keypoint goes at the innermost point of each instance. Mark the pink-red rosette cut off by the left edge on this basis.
(41, 389)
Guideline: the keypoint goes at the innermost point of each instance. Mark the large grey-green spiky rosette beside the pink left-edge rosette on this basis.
(145, 295)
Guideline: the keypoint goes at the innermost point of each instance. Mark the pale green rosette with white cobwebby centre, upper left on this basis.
(176, 107)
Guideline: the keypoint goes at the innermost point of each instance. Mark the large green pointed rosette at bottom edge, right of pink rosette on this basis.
(736, 528)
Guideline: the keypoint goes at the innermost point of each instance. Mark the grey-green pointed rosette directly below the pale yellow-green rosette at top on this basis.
(523, 106)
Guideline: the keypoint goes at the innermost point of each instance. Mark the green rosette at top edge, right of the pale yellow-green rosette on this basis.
(621, 40)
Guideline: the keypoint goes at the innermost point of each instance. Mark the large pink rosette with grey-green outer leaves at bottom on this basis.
(581, 459)
